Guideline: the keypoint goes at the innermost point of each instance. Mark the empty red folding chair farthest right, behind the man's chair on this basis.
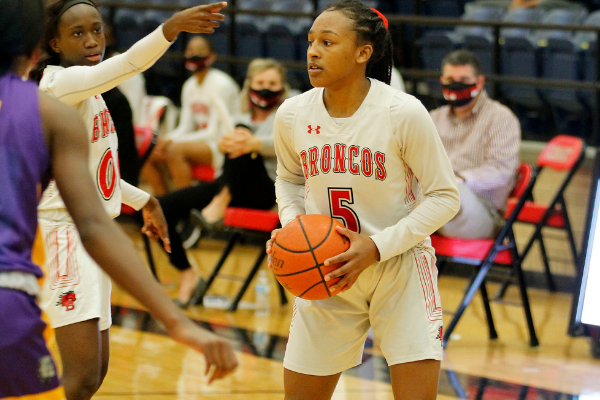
(562, 154)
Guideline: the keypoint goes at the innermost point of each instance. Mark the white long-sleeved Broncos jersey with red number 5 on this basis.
(382, 173)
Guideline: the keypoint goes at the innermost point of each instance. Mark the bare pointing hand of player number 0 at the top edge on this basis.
(199, 19)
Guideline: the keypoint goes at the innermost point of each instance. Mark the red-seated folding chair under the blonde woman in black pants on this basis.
(240, 222)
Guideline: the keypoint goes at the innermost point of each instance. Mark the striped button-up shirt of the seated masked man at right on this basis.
(483, 147)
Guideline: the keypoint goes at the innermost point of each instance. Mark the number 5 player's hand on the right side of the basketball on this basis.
(362, 253)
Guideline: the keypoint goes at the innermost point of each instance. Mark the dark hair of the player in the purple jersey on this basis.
(21, 27)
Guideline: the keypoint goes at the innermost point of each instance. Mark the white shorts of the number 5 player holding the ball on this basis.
(399, 298)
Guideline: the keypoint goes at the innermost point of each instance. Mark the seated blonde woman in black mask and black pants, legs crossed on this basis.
(248, 178)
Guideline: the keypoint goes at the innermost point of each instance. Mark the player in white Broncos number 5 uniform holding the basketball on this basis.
(368, 155)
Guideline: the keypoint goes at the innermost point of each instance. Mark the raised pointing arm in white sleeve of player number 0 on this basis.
(78, 83)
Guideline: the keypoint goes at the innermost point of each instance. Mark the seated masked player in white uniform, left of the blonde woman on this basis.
(195, 140)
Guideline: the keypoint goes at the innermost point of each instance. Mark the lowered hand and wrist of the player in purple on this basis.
(218, 352)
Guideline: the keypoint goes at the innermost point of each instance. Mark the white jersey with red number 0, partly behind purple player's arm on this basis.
(103, 152)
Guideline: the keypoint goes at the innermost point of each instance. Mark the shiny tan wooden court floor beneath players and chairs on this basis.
(147, 365)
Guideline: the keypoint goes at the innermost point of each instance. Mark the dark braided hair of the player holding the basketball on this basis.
(369, 28)
